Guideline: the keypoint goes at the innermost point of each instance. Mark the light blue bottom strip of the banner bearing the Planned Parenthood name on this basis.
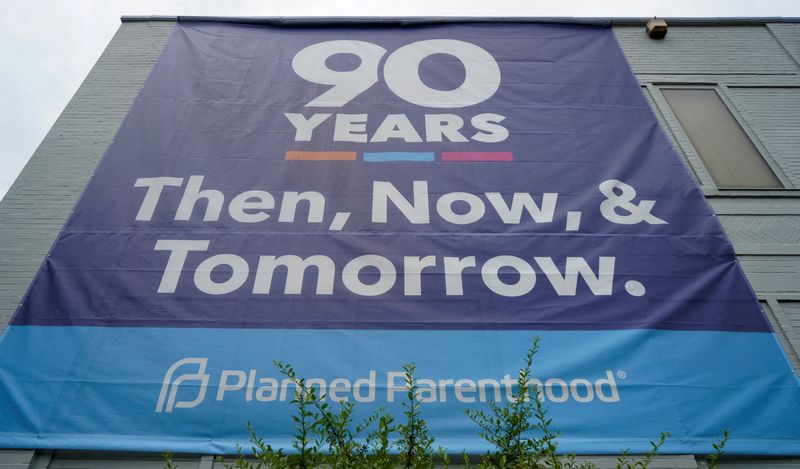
(193, 389)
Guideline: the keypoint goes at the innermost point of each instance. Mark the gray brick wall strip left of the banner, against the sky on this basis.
(43, 196)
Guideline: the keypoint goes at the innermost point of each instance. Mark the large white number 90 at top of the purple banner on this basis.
(400, 71)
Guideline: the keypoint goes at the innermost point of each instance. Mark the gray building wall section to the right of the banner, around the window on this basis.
(756, 69)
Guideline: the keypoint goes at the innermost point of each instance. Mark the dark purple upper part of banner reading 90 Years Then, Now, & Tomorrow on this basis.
(548, 197)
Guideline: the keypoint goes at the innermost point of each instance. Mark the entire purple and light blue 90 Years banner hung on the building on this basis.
(350, 199)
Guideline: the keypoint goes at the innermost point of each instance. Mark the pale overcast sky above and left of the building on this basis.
(48, 46)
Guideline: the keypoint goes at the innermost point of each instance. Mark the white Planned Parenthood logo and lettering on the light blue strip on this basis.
(253, 386)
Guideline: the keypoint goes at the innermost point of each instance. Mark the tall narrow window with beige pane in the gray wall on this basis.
(732, 160)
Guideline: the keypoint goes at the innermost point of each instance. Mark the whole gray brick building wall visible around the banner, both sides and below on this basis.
(754, 67)
